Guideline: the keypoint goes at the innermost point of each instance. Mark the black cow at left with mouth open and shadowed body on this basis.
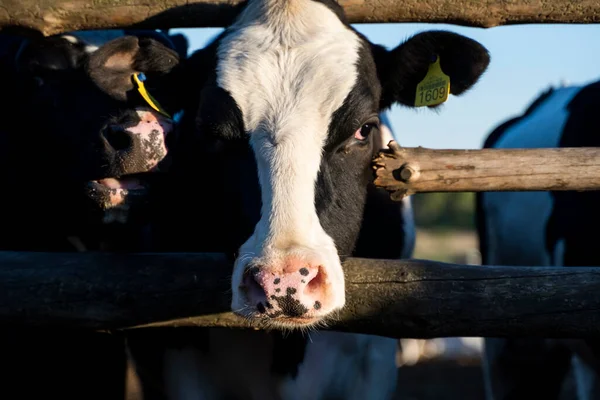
(82, 151)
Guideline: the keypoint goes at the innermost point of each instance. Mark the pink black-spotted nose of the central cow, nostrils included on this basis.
(296, 291)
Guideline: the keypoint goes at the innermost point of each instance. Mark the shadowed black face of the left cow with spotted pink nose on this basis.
(90, 132)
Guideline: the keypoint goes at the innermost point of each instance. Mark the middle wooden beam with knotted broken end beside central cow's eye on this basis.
(405, 171)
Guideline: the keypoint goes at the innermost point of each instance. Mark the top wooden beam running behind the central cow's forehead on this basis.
(51, 17)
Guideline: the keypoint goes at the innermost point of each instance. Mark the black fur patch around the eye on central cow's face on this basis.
(345, 168)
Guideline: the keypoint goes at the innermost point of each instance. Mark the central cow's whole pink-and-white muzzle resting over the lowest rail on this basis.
(291, 288)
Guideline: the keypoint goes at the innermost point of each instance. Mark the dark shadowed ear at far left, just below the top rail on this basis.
(39, 58)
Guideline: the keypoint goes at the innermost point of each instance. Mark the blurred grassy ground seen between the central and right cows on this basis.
(445, 232)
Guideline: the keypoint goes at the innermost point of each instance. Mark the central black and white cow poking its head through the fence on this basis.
(284, 108)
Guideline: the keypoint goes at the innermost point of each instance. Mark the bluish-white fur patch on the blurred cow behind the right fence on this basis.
(516, 221)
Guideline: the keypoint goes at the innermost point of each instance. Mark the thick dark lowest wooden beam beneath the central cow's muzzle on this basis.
(415, 298)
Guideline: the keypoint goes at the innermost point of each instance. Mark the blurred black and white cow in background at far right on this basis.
(542, 229)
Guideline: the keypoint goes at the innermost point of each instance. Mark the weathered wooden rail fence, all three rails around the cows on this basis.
(410, 298)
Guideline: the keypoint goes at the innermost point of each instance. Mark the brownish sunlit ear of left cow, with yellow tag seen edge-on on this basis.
(113, 66)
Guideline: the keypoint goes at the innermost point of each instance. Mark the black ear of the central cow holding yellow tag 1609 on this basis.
(400, 70)
